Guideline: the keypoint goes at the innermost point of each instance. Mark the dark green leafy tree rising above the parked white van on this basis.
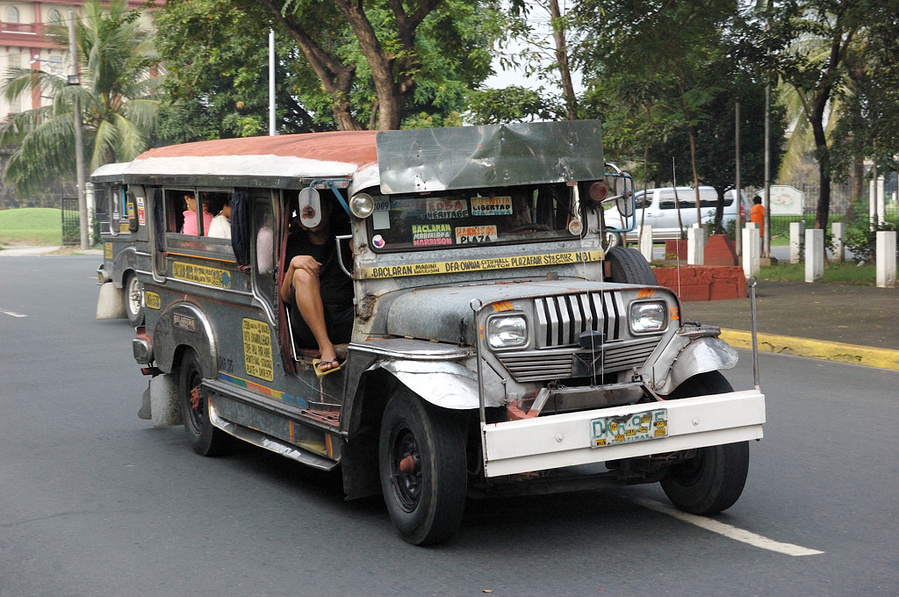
(656, 54)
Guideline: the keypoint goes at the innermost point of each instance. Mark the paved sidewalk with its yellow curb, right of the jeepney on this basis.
(851, 324)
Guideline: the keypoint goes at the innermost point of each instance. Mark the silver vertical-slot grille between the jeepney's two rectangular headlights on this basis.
(560, 319)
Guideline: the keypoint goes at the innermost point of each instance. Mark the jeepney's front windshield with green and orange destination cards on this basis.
(472, 217)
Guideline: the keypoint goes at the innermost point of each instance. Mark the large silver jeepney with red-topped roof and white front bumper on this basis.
(497, 349)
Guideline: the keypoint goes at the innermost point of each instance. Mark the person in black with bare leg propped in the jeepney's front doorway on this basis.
(315, 287)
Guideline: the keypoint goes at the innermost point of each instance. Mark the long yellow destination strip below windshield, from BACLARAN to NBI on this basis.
(474, 265)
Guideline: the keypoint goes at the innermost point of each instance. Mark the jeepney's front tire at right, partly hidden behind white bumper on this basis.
(712, 481)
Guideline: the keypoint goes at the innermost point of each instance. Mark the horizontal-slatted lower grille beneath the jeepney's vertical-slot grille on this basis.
(557, 363)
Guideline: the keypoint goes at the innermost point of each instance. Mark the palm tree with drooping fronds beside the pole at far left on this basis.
(117, 98)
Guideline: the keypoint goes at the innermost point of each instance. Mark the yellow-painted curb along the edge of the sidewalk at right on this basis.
(882, 358)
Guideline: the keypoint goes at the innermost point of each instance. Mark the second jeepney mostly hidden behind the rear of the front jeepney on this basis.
(124, 234)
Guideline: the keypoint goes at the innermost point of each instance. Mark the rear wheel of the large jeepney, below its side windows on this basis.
(204, 437)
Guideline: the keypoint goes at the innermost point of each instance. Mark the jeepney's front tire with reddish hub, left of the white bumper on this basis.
(421, 456)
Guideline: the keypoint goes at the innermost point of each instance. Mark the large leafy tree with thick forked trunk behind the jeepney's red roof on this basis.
(390, 65)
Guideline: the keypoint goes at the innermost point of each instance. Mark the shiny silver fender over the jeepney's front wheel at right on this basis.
(693, 350)
